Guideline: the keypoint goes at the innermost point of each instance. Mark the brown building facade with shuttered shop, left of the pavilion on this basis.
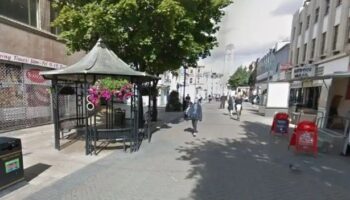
(28, 45)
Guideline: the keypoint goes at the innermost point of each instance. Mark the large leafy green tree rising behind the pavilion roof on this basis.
(152, 35)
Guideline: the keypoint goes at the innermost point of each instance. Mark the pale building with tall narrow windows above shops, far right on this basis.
(320, 45)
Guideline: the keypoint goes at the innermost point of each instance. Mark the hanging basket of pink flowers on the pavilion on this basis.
(105, 89)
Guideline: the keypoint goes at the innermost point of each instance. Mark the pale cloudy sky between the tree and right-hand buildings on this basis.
(252, 27)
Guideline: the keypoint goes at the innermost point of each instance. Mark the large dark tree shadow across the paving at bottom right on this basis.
(256, 166)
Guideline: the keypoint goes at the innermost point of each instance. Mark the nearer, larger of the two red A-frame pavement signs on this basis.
(304, 138)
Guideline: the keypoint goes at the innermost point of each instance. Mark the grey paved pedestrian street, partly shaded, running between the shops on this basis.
(227, 160)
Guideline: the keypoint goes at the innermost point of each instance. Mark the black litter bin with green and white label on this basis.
(11, 161)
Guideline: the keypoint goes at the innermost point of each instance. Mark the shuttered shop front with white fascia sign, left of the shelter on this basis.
(25, 99)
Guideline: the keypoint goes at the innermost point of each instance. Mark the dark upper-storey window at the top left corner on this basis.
(20, 10)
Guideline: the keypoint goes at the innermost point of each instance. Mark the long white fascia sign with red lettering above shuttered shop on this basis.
(31, 61)
